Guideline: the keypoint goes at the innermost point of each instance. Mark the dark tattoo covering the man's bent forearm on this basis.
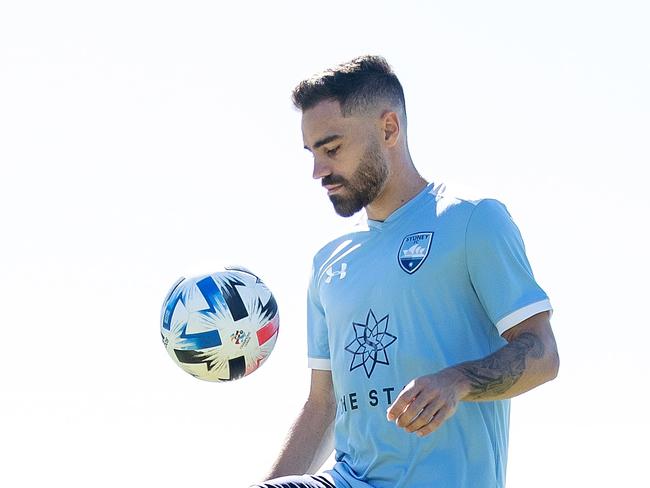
(497, 373)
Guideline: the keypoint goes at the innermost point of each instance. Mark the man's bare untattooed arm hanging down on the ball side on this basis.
(309, 442)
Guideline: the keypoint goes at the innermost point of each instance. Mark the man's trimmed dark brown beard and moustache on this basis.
(363, 186)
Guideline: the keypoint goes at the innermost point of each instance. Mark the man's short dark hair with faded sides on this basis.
(357, 85)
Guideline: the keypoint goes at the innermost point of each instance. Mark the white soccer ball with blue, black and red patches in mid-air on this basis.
(221, 326)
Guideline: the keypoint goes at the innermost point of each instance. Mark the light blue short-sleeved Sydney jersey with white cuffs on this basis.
(433, 285)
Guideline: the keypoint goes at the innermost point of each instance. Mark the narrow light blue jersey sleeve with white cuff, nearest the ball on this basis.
(318, 349)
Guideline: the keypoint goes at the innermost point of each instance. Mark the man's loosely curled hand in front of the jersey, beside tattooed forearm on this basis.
(426, 402)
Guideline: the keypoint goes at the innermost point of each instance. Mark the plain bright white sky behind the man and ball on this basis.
(145, 140)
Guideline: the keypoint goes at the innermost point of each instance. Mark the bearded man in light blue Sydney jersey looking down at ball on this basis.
(422, 325)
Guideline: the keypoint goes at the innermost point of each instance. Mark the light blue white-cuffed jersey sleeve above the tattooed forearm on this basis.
(499, 269)
